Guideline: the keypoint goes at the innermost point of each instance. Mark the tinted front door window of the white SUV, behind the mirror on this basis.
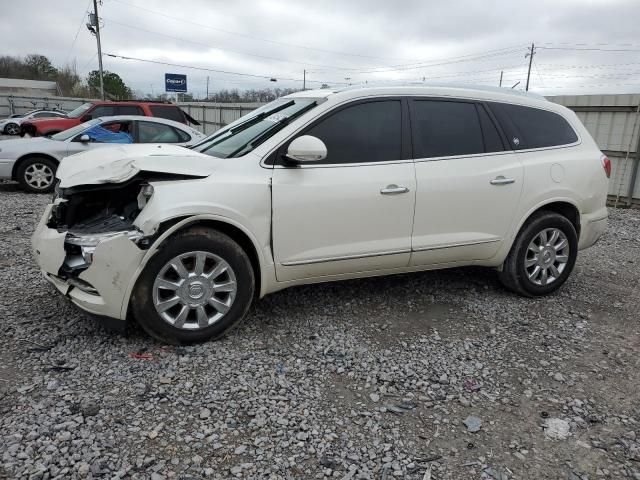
(367, 132)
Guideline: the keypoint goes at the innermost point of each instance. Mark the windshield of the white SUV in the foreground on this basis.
(243, 135)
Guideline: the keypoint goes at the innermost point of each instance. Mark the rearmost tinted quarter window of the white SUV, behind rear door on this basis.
(533, 127)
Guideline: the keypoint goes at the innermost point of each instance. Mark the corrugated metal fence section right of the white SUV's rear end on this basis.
(614, 123)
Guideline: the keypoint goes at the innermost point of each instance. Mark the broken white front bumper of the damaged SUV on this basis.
(102, 288)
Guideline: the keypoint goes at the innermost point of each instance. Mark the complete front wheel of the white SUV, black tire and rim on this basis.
(212, 314)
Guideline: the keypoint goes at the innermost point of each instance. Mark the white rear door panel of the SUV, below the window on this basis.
(460, 214)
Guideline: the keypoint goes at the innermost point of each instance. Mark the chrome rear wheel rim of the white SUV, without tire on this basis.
(547, 256)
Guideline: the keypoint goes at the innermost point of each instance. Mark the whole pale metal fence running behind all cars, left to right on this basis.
(613, 120)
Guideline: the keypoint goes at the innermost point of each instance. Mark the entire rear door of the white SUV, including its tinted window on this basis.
(468, 185)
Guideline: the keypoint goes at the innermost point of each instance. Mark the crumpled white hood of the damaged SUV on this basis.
(117, 164)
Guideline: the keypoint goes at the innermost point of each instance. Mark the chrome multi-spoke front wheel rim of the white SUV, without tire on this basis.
(194, 290)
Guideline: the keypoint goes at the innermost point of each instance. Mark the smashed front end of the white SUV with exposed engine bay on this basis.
(88, 246)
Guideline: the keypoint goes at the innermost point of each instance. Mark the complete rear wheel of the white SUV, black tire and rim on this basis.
(547, 242)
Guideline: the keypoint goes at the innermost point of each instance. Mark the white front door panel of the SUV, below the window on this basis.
(332, 220)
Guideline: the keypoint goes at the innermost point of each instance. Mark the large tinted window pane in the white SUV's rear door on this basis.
(442, 128)
